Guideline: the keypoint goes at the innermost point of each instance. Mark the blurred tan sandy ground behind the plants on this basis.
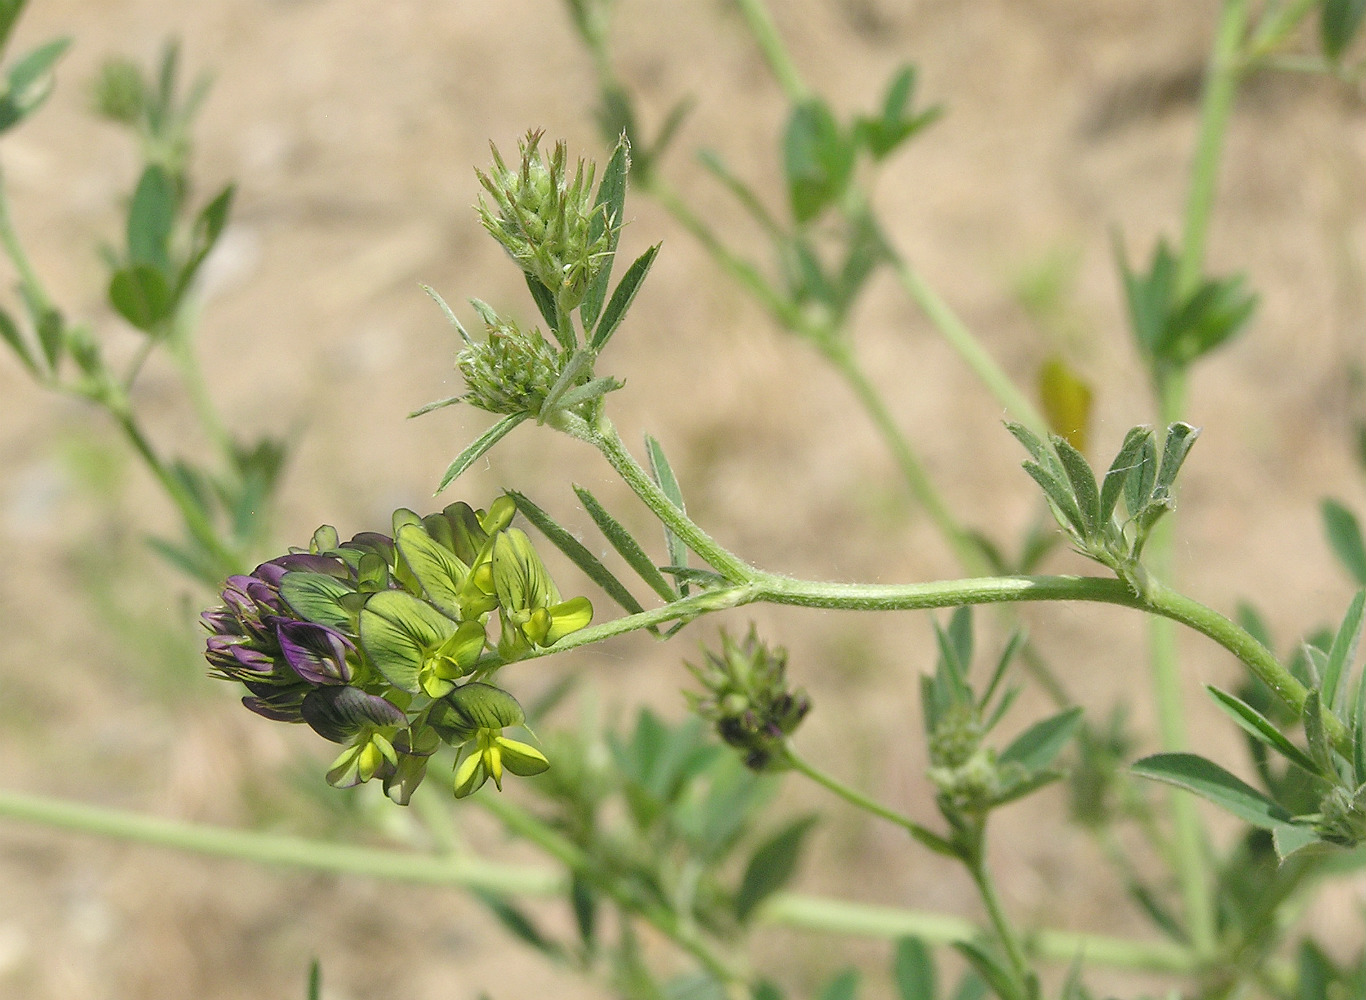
(352, 129)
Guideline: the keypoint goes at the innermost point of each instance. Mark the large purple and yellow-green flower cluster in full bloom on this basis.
(380, 644)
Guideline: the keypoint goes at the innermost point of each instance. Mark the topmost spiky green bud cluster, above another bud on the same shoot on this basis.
(548, 221)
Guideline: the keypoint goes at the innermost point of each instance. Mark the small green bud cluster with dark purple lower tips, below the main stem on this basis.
(749, 700)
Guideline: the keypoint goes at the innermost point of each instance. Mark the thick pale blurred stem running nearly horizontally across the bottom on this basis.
(800, 912)
